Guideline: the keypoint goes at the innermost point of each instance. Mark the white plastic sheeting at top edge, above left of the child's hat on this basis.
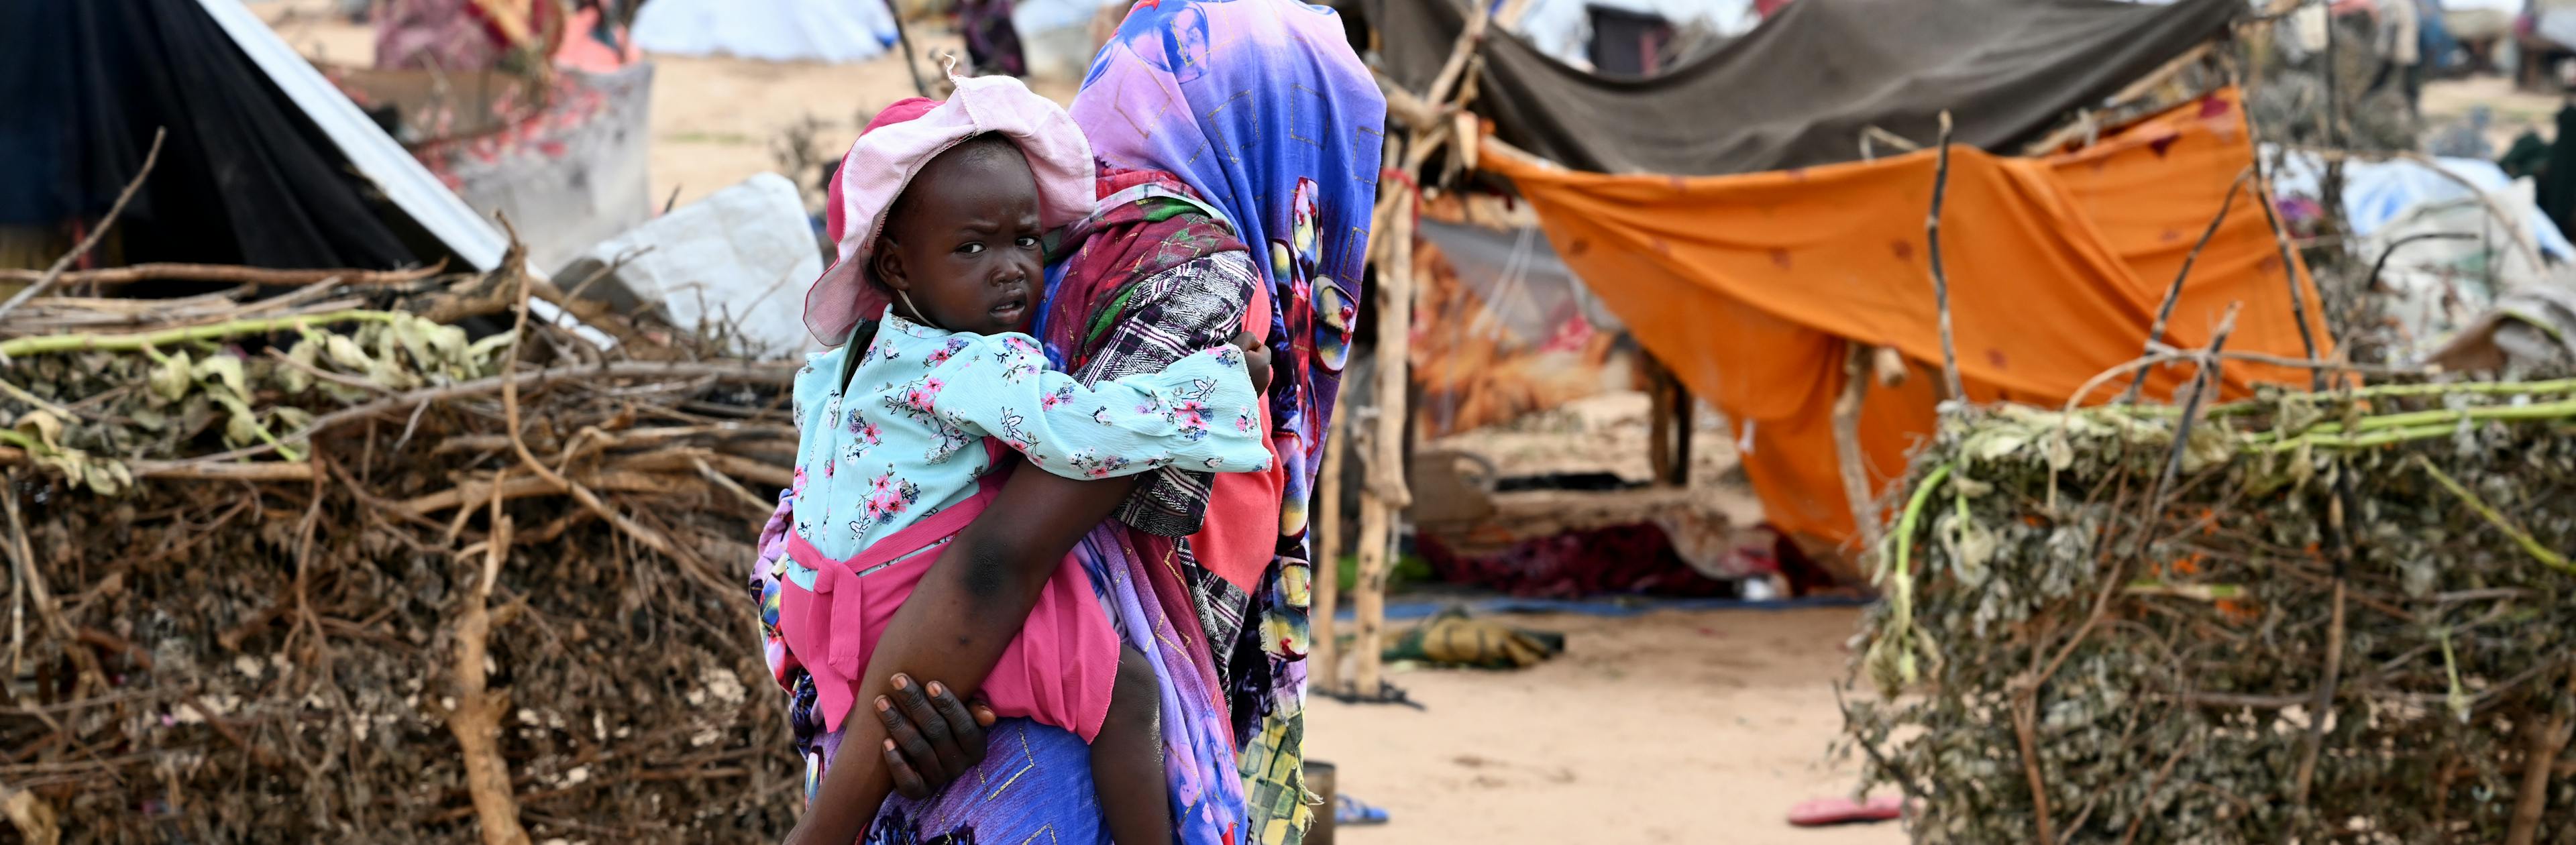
(769, 30)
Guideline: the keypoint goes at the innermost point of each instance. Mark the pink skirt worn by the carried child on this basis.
(1057, 671)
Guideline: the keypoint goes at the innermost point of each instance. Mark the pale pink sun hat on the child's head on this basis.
(905, 138)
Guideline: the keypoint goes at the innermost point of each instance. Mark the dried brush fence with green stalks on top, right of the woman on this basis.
(2320, 620)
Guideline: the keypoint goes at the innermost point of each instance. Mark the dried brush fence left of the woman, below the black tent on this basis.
(326, 568)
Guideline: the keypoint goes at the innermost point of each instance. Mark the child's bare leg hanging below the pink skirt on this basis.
(1127, 759)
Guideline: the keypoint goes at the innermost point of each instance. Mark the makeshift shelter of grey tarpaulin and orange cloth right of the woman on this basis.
(1758, 287)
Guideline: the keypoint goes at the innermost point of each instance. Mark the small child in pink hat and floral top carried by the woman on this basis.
(903, 426)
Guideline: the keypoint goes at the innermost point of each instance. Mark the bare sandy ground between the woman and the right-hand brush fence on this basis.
(1665, 728)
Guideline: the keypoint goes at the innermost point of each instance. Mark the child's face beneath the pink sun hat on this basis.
(965, 241)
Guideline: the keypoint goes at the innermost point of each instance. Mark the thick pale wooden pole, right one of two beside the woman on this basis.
(1385, 496)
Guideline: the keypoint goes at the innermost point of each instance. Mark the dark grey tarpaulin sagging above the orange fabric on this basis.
(1799, 89)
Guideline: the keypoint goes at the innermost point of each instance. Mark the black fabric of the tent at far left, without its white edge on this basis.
(246, 176)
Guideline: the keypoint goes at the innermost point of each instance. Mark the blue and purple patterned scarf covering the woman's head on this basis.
(1269, 115)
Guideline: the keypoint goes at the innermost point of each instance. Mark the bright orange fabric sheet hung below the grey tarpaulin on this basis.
(1753, 285)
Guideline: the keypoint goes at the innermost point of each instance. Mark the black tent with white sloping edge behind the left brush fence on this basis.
(267, 164)
